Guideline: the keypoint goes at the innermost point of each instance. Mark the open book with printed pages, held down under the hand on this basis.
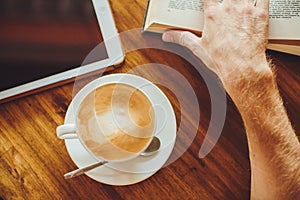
(284, 27)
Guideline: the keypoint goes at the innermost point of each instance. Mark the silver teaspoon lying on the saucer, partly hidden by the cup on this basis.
(150, 150)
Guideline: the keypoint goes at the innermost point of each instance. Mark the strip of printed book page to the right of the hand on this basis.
(284, 19)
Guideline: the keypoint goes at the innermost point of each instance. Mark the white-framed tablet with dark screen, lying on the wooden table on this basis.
(44, 42)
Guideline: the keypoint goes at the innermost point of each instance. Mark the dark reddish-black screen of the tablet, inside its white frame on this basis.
(39, 38)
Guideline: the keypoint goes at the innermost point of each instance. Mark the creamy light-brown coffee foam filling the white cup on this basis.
(116, 121)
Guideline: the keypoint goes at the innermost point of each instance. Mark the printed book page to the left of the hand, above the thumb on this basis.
(186, 14)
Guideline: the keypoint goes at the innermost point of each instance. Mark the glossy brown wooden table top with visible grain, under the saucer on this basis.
(33, 160)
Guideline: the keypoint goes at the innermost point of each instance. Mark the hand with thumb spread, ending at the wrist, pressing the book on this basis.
(233, 41)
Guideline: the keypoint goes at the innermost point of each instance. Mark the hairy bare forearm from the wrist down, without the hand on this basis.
(273, 145)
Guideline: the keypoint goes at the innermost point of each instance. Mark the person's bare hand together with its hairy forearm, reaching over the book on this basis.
(233, 45)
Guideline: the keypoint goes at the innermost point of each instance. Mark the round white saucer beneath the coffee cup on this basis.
(140, 168)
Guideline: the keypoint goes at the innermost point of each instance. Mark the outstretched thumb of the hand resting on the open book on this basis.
(184, 38)
